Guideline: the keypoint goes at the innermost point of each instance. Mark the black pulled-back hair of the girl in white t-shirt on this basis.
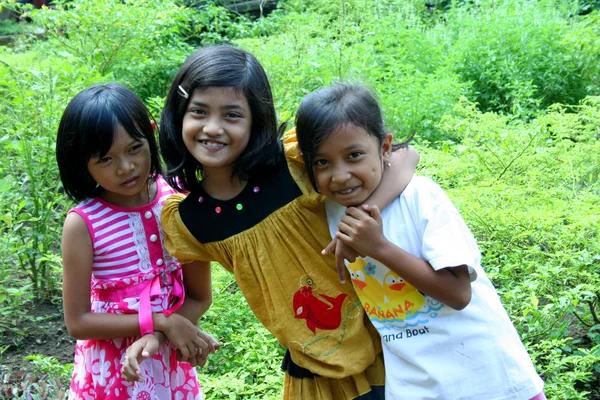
(324, 111)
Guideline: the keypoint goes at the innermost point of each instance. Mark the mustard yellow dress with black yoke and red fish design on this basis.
(270, 237)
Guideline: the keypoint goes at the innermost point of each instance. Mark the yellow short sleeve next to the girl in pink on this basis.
(178, 240)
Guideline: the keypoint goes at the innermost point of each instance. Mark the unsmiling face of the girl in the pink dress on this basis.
(123, 171)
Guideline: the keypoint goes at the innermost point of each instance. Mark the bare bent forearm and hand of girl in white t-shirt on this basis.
(364, 232)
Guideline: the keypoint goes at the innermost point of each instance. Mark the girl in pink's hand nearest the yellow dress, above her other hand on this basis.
(188, 338)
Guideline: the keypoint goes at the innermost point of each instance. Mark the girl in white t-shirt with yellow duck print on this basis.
(444, 331)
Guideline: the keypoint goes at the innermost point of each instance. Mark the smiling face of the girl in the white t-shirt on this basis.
(348, 165)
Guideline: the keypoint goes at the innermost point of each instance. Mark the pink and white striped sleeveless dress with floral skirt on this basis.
(131, 273)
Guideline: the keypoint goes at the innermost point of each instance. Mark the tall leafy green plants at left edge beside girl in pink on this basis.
(31, 206)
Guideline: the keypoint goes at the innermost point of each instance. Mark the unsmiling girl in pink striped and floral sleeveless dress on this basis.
(120, 286)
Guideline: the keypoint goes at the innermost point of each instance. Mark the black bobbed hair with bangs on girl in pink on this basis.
(87, 129)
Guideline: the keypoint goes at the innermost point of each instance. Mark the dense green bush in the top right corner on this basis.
(522, 55)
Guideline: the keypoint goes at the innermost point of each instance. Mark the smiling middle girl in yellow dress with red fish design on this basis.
(266, 225)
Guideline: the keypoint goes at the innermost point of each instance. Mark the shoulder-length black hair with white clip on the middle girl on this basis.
(220, 66)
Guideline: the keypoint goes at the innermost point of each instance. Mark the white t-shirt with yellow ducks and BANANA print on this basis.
(432, 351)
